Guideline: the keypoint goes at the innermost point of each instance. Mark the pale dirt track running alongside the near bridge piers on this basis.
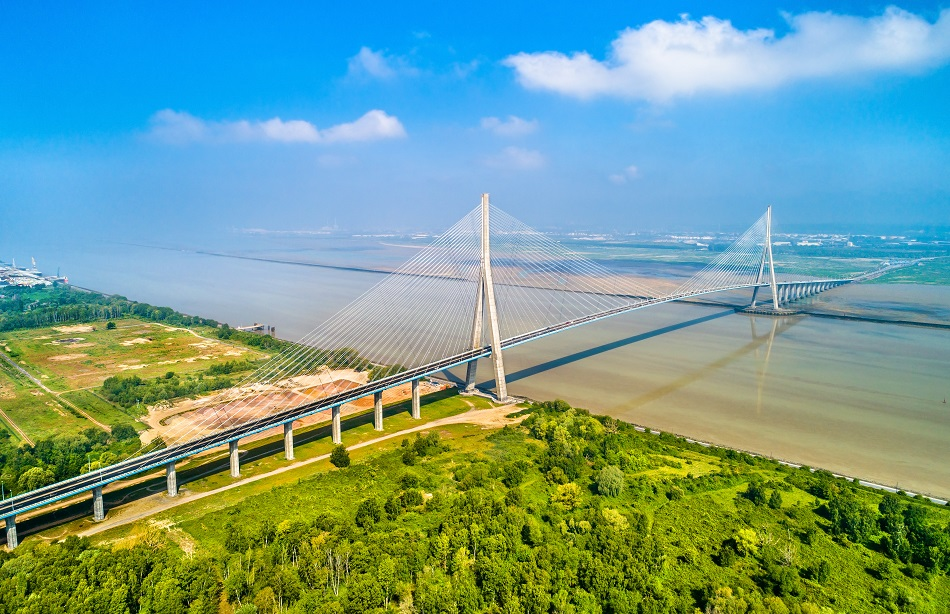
(153, 504)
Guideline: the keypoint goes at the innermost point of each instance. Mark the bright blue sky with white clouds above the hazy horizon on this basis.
(178, 119)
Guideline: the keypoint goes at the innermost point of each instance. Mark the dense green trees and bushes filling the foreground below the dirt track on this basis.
(567, 512)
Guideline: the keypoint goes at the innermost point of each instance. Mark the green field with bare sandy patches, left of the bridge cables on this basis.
(82, 356)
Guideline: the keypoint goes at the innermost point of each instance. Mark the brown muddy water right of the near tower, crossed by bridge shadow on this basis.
(858, 398)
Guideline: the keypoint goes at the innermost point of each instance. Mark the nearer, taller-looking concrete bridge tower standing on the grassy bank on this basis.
(485, 310)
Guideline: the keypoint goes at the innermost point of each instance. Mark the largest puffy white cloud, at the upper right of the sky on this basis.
(663, 60)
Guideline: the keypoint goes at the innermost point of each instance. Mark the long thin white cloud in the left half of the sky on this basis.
(180, 127)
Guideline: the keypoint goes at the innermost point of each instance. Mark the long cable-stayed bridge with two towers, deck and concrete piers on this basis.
(489, 283)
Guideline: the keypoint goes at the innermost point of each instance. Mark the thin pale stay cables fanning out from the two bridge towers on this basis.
(422, 312)
